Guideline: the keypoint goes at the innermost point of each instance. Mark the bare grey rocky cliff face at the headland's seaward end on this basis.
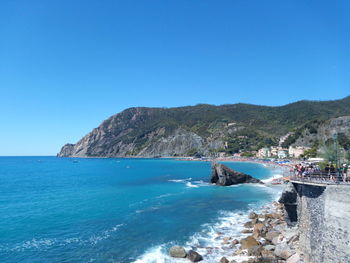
(133, 133)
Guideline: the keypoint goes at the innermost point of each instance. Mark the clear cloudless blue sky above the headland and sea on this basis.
(67, 65)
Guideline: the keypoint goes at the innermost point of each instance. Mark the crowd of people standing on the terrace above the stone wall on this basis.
(330, 172)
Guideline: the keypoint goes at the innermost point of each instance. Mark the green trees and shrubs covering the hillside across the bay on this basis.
(242, 127)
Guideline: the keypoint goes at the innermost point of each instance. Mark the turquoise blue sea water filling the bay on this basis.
(116, 210)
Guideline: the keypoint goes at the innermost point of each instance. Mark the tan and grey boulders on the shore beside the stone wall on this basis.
(267, 238)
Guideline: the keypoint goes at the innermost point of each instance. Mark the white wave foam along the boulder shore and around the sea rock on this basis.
(211, 240)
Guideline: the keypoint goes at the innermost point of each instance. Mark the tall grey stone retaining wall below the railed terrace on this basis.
(324, 222)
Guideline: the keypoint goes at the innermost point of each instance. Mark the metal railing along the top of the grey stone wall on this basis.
(321, 177)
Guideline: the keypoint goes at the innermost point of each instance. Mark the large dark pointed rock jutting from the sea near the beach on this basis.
(222, 175)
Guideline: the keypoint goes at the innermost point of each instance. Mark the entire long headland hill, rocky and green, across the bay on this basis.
(150, 132)
